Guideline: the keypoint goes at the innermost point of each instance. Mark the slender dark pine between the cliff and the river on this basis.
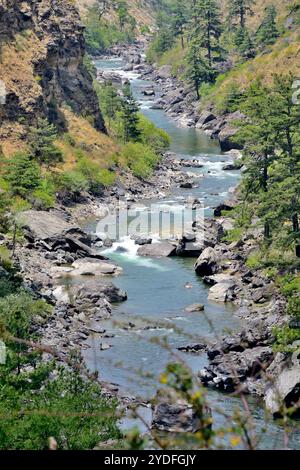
(129, 115)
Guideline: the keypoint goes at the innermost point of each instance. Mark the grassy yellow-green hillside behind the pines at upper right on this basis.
(239, 64)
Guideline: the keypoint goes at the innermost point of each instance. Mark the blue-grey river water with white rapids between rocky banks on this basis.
(157, 288)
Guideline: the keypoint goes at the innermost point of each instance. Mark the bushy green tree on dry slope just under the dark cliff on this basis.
(41, 139)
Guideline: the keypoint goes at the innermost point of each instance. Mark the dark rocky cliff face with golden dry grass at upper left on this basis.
(41, 63)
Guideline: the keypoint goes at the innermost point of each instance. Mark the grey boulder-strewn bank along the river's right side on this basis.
(245, 361)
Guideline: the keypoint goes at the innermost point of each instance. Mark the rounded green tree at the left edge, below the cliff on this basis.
(22, 174)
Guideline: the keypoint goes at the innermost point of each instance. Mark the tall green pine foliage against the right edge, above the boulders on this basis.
(271, 139)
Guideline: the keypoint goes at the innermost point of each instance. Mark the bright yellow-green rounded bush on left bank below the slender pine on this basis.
(140, 159)
